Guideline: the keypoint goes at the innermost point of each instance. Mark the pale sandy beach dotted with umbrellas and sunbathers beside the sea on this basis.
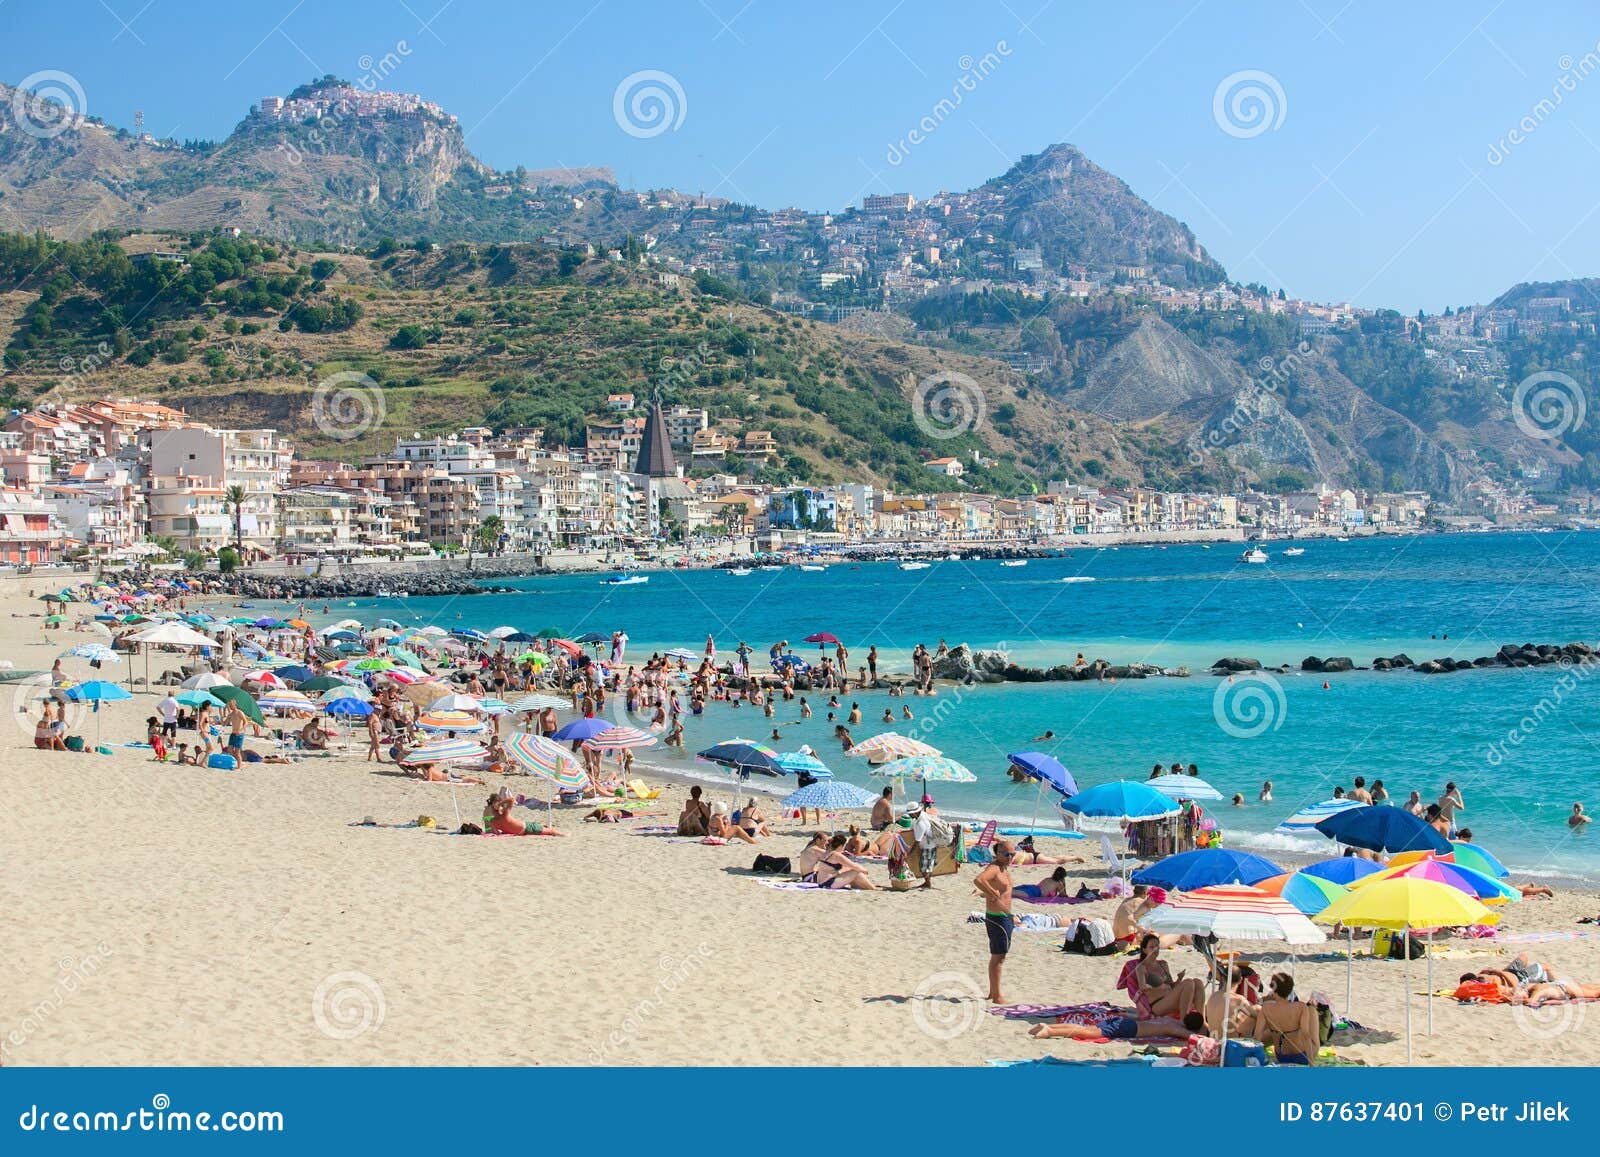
(166, 915)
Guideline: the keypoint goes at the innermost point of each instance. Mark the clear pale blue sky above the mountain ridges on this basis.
(1385, 172)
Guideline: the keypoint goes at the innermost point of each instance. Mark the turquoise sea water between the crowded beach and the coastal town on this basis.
(1519, 743)
